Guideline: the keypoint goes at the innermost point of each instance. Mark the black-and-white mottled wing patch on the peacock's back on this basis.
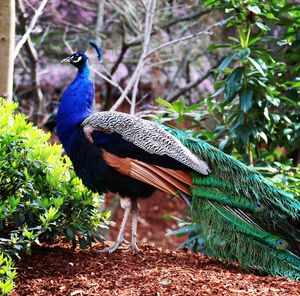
(145, 134)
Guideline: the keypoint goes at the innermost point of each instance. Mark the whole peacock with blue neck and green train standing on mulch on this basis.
(243, 217)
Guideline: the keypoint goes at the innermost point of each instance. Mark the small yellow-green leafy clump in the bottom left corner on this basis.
(7, 274)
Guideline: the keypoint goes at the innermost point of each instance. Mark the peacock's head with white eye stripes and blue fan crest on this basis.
(80, 59)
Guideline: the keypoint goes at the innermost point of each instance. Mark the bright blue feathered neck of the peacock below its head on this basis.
(76, 105)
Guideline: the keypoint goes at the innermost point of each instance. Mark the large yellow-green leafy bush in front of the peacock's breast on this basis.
(40, 195)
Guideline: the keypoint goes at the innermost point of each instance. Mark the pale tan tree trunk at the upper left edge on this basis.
(7, 44)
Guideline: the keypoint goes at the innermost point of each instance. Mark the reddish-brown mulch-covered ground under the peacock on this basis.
(154, 270)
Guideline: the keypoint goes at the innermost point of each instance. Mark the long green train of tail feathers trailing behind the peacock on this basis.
(243, 216)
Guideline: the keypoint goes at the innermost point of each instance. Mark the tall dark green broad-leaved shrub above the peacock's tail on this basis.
(257, 102)
